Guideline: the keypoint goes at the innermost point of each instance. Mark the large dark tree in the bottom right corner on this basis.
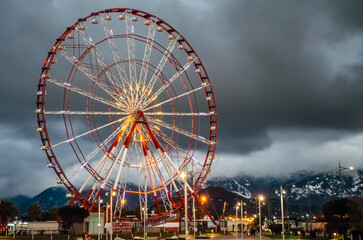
(343, 214)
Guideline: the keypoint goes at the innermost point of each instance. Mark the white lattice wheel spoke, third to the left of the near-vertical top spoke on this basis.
(87, 71)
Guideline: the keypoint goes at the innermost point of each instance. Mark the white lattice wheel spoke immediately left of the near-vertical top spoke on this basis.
(115, 51)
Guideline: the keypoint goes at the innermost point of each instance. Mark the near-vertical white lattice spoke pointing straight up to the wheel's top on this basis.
(131, 47)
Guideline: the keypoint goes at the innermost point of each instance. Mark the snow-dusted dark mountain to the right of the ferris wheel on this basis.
(306, 192)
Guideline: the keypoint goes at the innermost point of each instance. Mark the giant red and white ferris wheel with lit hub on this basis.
(125, 105)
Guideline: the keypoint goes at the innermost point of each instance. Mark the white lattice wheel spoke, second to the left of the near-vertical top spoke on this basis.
(98, 56)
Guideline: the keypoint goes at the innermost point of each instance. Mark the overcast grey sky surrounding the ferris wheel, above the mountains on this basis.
(288, 79)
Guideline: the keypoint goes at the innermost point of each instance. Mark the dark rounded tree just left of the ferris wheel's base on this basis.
(72, 214)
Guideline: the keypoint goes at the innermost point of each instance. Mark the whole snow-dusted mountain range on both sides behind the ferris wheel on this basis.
(306, 194)
